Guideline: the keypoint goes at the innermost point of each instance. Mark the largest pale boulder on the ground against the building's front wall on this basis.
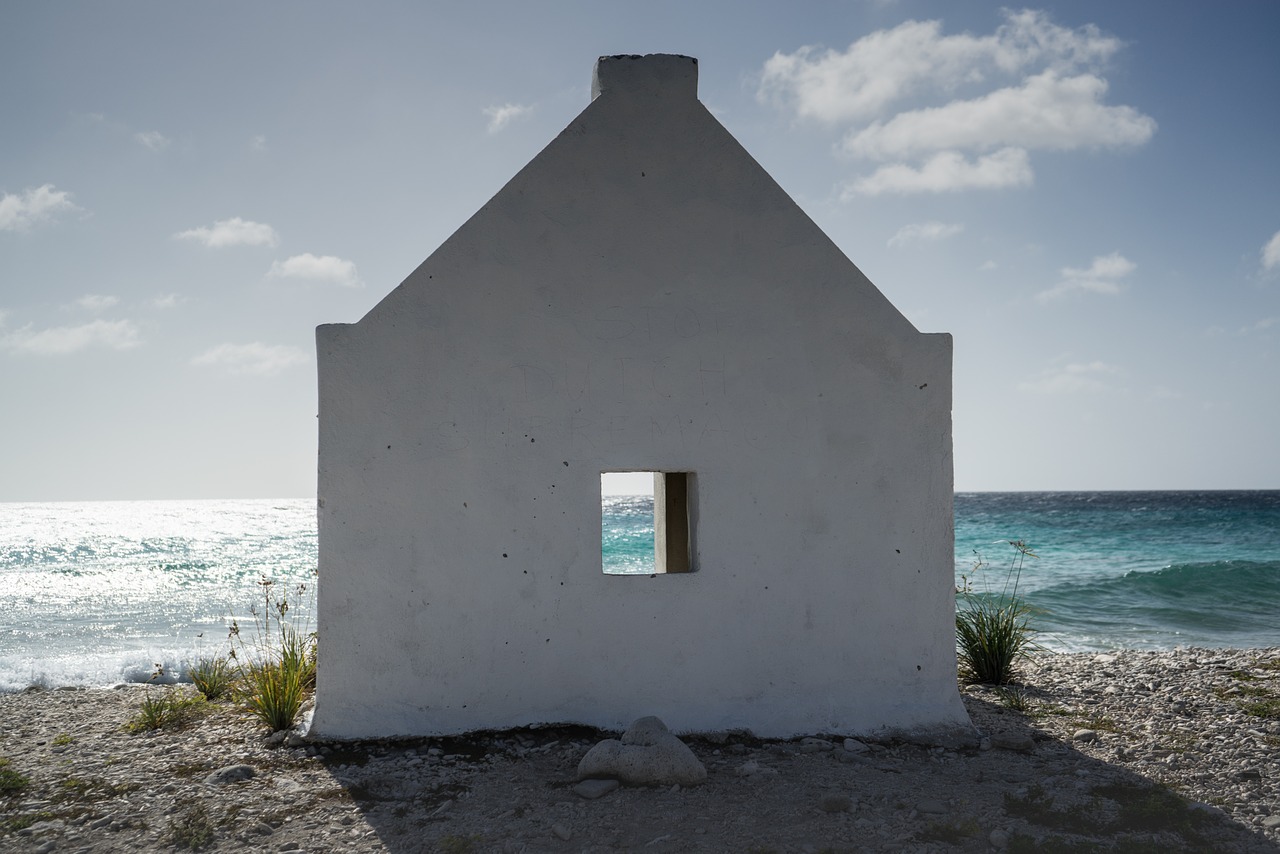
(648, 755)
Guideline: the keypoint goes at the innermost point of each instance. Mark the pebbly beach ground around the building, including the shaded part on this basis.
(1176, 750)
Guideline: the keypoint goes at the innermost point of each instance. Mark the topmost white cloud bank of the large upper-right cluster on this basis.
(916, 58)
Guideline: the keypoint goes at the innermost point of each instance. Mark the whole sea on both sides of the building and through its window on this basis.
(100, 593)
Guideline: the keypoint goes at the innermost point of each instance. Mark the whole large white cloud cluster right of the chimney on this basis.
(1030, 86)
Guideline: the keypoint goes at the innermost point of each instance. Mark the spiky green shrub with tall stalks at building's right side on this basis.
(994, 632)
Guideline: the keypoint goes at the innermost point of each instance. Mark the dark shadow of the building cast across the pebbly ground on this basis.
(514, 792)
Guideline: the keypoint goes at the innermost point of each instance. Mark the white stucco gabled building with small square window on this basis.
(641, 298)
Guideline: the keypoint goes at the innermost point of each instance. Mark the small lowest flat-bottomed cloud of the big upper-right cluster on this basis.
(945, 172)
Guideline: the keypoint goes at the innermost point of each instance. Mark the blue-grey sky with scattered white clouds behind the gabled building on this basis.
(1085, 195)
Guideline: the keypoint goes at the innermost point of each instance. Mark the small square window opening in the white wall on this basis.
(646, 526)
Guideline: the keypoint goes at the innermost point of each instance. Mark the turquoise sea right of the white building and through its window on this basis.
(1141, 570)
